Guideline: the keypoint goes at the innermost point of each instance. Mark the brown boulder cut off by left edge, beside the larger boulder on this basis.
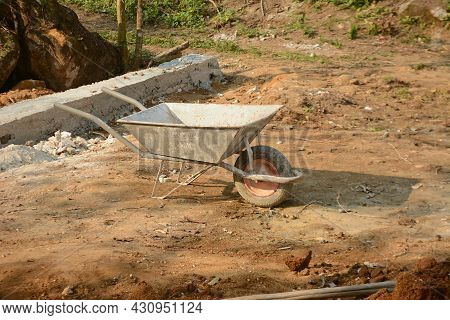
(9, 54)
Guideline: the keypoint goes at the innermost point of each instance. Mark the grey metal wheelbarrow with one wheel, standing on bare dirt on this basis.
(207, 134)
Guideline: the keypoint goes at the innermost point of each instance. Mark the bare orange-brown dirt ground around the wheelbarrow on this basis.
(370, 132)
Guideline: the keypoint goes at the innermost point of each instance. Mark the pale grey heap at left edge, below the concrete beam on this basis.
(14, 156)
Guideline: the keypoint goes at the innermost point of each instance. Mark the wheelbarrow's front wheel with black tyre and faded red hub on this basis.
(269, 161)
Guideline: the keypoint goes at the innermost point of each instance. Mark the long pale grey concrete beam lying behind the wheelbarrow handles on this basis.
(37, 119)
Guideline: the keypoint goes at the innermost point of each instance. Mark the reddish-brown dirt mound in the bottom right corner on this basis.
(428, 281)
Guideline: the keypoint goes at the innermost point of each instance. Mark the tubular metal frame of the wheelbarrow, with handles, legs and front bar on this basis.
(149, 155)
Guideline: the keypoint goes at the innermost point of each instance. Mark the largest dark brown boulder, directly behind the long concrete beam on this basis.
(57, 48)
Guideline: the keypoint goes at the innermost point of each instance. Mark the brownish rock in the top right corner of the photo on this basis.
(428, 10)
